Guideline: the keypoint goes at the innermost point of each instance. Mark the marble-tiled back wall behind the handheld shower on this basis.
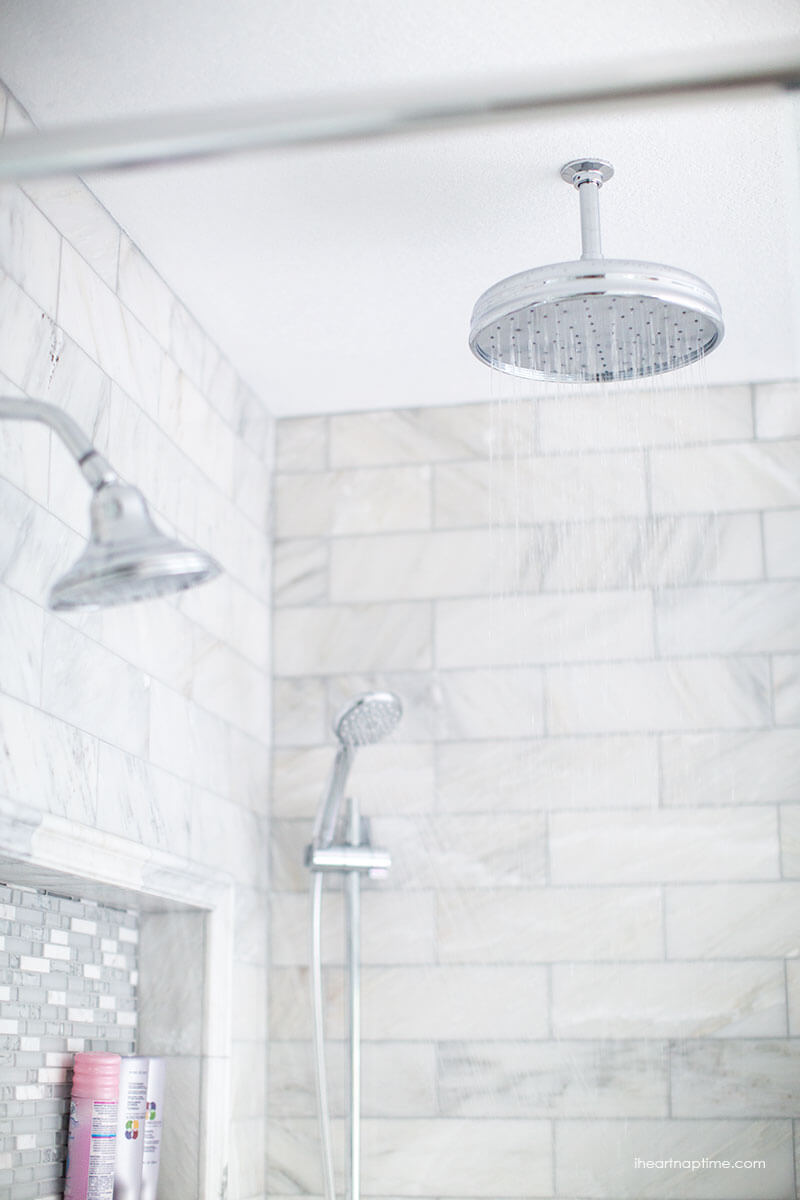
(587, 949)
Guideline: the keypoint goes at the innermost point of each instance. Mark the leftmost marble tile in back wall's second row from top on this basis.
(347, 502)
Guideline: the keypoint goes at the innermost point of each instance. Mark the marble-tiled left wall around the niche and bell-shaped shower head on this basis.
(153, 722)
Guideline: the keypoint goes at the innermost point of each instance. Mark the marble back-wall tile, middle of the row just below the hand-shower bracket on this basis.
(550, 925)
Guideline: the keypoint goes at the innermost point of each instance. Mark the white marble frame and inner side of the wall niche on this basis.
(185, 971)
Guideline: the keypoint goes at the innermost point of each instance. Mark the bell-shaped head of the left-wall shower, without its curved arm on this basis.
(128, 557)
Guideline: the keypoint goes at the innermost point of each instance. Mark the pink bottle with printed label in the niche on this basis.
(92, 1143)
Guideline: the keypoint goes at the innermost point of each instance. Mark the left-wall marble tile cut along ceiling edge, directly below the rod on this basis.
(80, 217)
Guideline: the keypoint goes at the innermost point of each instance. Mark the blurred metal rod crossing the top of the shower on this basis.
(139, 142)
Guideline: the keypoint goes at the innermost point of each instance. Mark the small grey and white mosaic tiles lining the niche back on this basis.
(68, 983)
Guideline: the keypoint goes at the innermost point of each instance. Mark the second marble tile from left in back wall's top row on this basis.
(412, 435)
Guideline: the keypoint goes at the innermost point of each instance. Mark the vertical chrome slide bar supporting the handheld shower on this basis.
(353, 886)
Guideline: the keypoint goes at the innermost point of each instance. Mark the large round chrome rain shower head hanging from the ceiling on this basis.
(596, 320)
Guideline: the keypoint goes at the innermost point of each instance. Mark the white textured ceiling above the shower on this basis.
(344, 278)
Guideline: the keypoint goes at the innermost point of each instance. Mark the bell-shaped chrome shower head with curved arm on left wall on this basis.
(128, 557)
